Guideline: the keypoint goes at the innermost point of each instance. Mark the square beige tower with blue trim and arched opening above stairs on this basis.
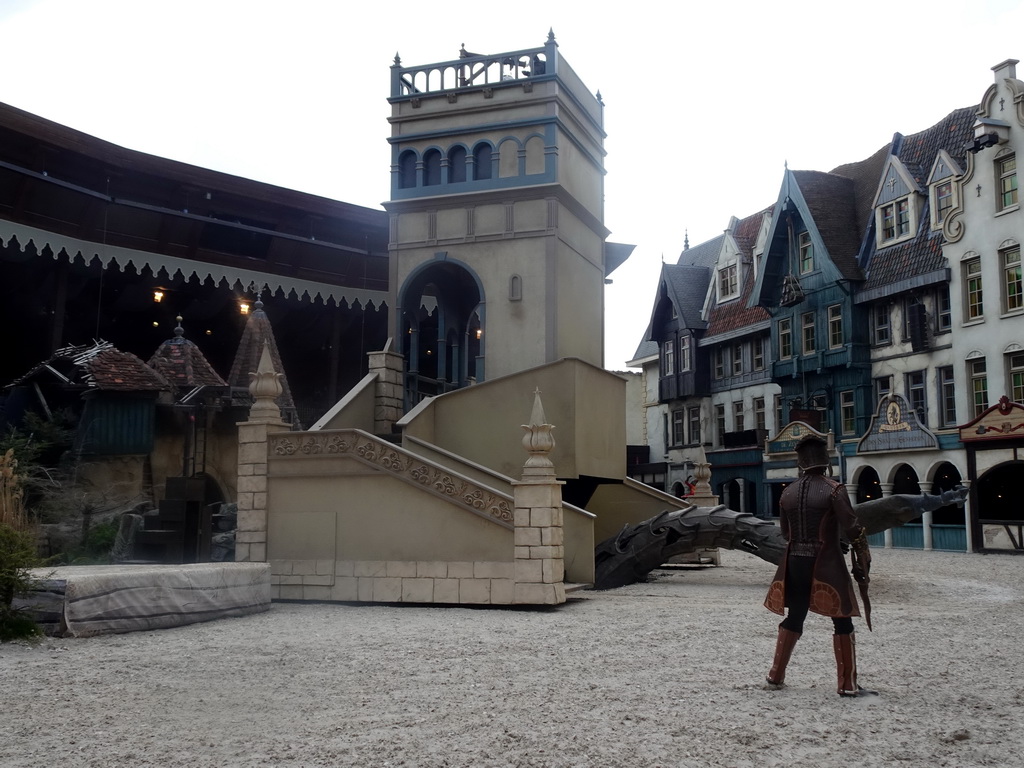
(497, 230)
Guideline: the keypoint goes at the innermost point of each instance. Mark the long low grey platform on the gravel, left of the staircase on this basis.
(83, 601)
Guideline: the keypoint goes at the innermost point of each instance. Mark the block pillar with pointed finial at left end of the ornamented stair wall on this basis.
(265, 417)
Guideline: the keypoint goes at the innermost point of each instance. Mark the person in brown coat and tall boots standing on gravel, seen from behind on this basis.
(813, 576)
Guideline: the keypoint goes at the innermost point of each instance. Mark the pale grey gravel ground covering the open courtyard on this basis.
(668, 673)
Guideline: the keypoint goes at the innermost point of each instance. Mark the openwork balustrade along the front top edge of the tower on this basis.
(473, 71)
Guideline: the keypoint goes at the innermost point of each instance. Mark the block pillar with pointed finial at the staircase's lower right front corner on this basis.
(540, 553)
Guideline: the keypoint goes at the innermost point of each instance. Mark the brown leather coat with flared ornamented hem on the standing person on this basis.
(832, 588)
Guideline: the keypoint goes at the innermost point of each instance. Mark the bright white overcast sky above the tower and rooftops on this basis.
(706, 104)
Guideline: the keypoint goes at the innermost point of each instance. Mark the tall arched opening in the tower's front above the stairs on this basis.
(442, 324)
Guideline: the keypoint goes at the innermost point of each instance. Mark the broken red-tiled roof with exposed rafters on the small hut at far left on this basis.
(99, 366)
